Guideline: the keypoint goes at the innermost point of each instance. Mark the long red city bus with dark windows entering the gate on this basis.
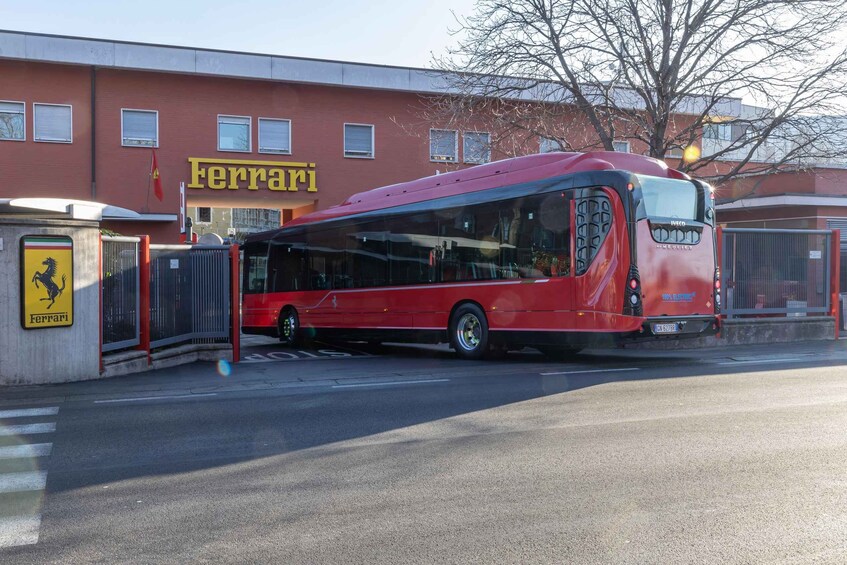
(556, 251)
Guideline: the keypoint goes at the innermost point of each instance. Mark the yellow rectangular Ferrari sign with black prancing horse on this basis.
(47, 296)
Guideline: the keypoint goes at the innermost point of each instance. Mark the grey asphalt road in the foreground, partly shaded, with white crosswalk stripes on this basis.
(410, 456)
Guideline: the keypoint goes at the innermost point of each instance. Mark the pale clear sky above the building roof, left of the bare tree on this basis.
(389, 32)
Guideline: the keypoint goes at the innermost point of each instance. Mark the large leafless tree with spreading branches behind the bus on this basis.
(664, 75)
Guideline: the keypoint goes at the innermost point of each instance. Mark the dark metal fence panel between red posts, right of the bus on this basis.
(774, 272)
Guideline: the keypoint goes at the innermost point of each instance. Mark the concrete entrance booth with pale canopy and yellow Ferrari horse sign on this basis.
(49, 290)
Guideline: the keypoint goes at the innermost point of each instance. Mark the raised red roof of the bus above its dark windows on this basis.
(491, 175)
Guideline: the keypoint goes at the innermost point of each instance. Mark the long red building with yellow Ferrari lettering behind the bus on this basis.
(78, 119)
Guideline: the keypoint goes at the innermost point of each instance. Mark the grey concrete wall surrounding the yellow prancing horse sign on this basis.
(50, 355)
